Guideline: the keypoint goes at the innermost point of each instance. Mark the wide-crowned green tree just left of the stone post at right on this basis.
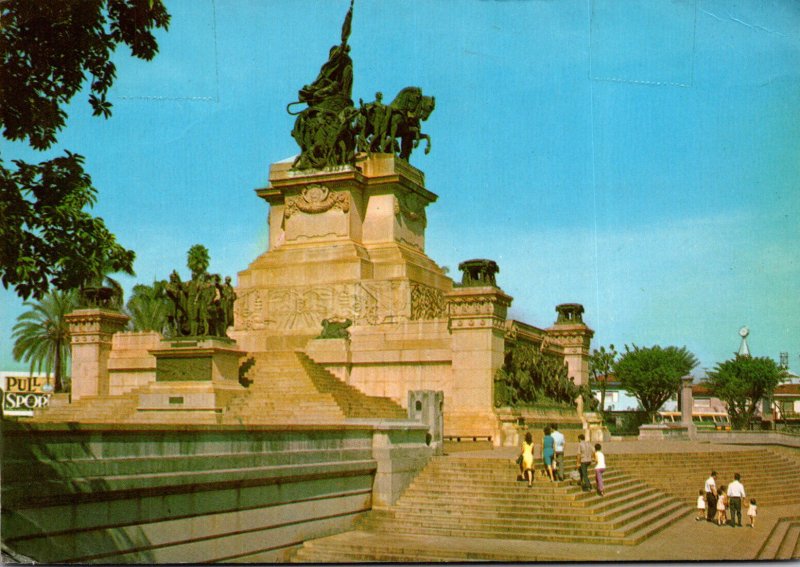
(653, 374)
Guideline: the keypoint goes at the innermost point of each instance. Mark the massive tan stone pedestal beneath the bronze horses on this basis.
(346, 243)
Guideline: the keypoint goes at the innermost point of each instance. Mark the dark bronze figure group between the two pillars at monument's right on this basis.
(530, 376)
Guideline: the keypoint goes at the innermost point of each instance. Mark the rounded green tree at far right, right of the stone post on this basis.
(741, 382)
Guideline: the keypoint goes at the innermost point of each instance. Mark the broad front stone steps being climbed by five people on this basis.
(471, 497)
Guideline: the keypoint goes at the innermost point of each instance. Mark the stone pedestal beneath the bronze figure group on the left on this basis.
(199, 376)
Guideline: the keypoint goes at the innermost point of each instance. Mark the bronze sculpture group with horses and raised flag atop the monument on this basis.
(331, 131)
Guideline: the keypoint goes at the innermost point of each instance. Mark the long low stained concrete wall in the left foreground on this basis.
(121, 494)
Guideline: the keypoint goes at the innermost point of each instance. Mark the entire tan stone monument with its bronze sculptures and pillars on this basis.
(345, 284)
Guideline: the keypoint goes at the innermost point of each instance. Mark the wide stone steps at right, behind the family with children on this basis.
(765, 473)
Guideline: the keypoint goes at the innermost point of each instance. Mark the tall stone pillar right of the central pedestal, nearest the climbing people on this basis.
(477, 318)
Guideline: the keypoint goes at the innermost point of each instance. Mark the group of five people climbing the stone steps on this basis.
(553, 444)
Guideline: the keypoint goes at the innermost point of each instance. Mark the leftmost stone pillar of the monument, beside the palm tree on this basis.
(91, 331)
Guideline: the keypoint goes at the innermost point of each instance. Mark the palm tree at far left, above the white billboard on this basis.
(41, 335)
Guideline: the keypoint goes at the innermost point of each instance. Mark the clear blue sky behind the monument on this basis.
(641, 157)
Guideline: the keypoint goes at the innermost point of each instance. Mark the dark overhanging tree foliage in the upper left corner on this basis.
(49, 52)
